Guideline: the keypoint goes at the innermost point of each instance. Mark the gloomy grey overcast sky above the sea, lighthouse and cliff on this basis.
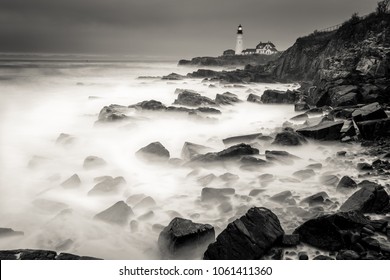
(175, 28)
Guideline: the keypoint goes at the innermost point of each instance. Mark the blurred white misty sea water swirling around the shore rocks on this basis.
(41, 100)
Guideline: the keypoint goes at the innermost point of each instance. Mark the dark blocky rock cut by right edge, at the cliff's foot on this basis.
(374, 128)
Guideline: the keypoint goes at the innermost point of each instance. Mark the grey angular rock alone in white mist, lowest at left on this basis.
(119, 214)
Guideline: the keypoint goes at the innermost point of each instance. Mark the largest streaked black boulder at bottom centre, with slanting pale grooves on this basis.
(247, 238)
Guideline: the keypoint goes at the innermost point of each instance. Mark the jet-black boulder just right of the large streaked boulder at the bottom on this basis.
(327, 232)
